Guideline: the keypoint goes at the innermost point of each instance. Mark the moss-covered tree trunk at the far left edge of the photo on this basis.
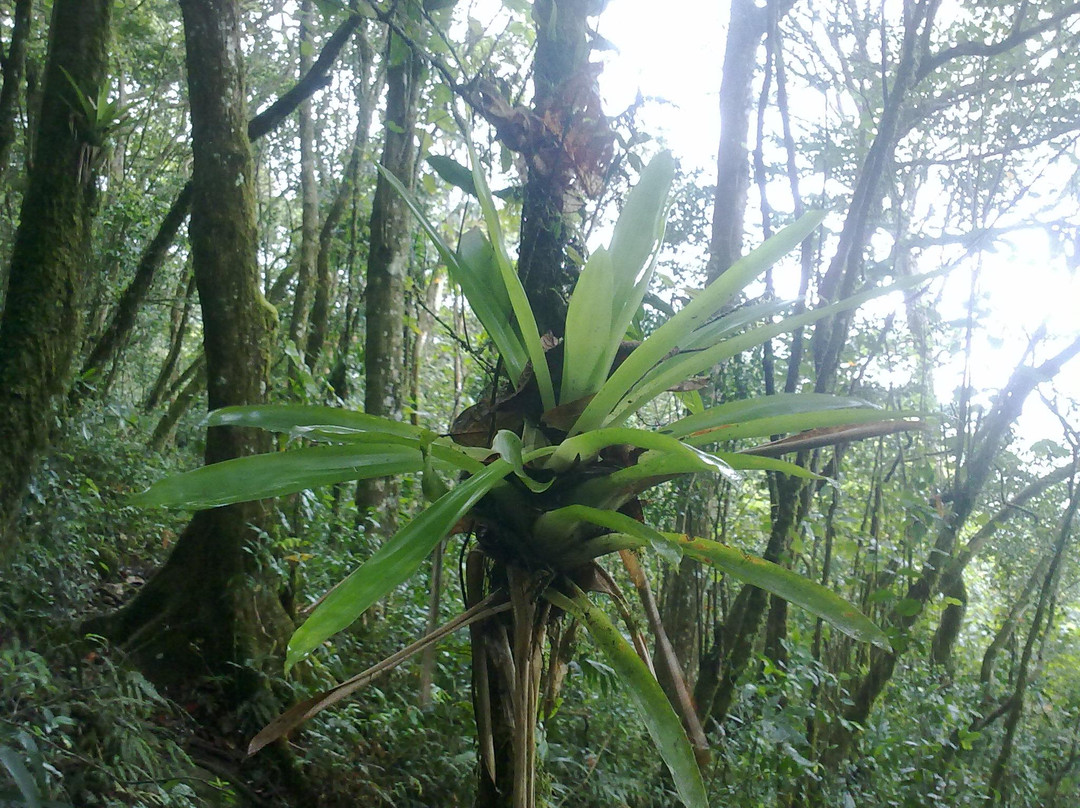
(42, 318)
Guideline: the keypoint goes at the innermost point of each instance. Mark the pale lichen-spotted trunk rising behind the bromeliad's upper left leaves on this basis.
(387, 270)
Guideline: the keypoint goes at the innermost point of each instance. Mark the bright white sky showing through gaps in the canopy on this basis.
(674, 57)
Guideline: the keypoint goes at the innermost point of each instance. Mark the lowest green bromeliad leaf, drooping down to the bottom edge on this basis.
(653, 705)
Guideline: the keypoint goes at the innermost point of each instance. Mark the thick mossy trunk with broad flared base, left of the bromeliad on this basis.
(212, 612)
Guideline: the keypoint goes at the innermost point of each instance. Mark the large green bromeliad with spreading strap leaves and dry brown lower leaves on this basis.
(549, 470)
